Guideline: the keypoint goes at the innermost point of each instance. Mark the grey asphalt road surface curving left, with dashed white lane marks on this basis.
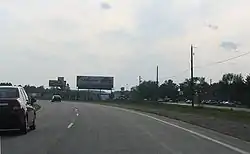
(84, 128)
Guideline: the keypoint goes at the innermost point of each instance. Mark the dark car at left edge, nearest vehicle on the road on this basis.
(16, 110)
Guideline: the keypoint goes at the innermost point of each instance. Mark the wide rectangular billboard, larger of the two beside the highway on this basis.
(95, 82)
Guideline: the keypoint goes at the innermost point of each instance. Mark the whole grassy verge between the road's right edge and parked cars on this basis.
(227, 121)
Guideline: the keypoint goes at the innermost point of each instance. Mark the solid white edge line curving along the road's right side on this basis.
(185, 129)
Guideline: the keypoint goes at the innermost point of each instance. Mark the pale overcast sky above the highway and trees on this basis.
(43, 39)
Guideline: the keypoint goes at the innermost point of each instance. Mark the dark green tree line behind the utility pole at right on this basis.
(231, 87)
